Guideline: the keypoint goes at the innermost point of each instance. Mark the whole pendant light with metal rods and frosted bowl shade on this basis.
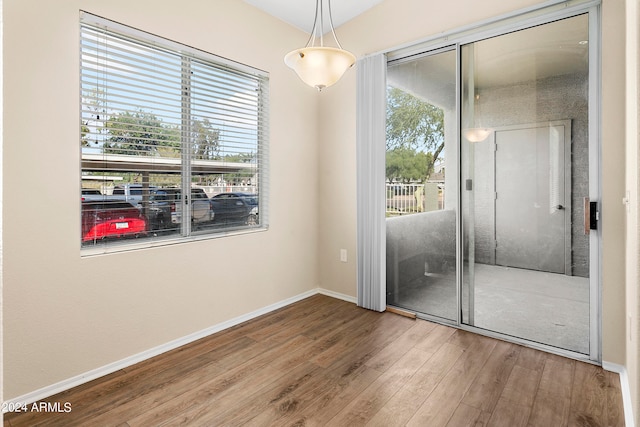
(320, 66)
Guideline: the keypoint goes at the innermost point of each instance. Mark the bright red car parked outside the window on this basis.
(111, 219)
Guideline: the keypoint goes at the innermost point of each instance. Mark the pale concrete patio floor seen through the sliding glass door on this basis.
(543, 307)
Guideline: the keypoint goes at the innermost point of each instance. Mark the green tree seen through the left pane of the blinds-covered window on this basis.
(140, 133)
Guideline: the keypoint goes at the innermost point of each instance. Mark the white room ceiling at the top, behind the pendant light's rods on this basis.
(300, 13)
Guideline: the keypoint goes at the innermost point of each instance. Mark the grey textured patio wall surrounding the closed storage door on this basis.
(556, 98)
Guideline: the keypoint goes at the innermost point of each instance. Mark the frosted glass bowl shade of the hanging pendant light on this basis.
(320, 66)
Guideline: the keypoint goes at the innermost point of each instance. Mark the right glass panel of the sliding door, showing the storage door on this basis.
(525, 171)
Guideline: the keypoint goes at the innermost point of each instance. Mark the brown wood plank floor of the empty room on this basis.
(324, 361)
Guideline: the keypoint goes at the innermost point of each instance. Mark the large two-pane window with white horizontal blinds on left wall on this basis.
(167, 132)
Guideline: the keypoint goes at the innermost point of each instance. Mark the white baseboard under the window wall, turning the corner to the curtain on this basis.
(77, 380)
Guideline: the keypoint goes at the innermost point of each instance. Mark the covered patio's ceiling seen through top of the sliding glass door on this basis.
(556, 49)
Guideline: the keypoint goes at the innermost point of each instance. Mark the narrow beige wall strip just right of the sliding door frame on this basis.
(614, 323)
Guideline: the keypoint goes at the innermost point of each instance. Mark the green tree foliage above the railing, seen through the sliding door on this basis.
(415, 134)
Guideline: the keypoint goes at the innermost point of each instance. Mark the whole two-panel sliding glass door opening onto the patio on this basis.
(491, 179)
